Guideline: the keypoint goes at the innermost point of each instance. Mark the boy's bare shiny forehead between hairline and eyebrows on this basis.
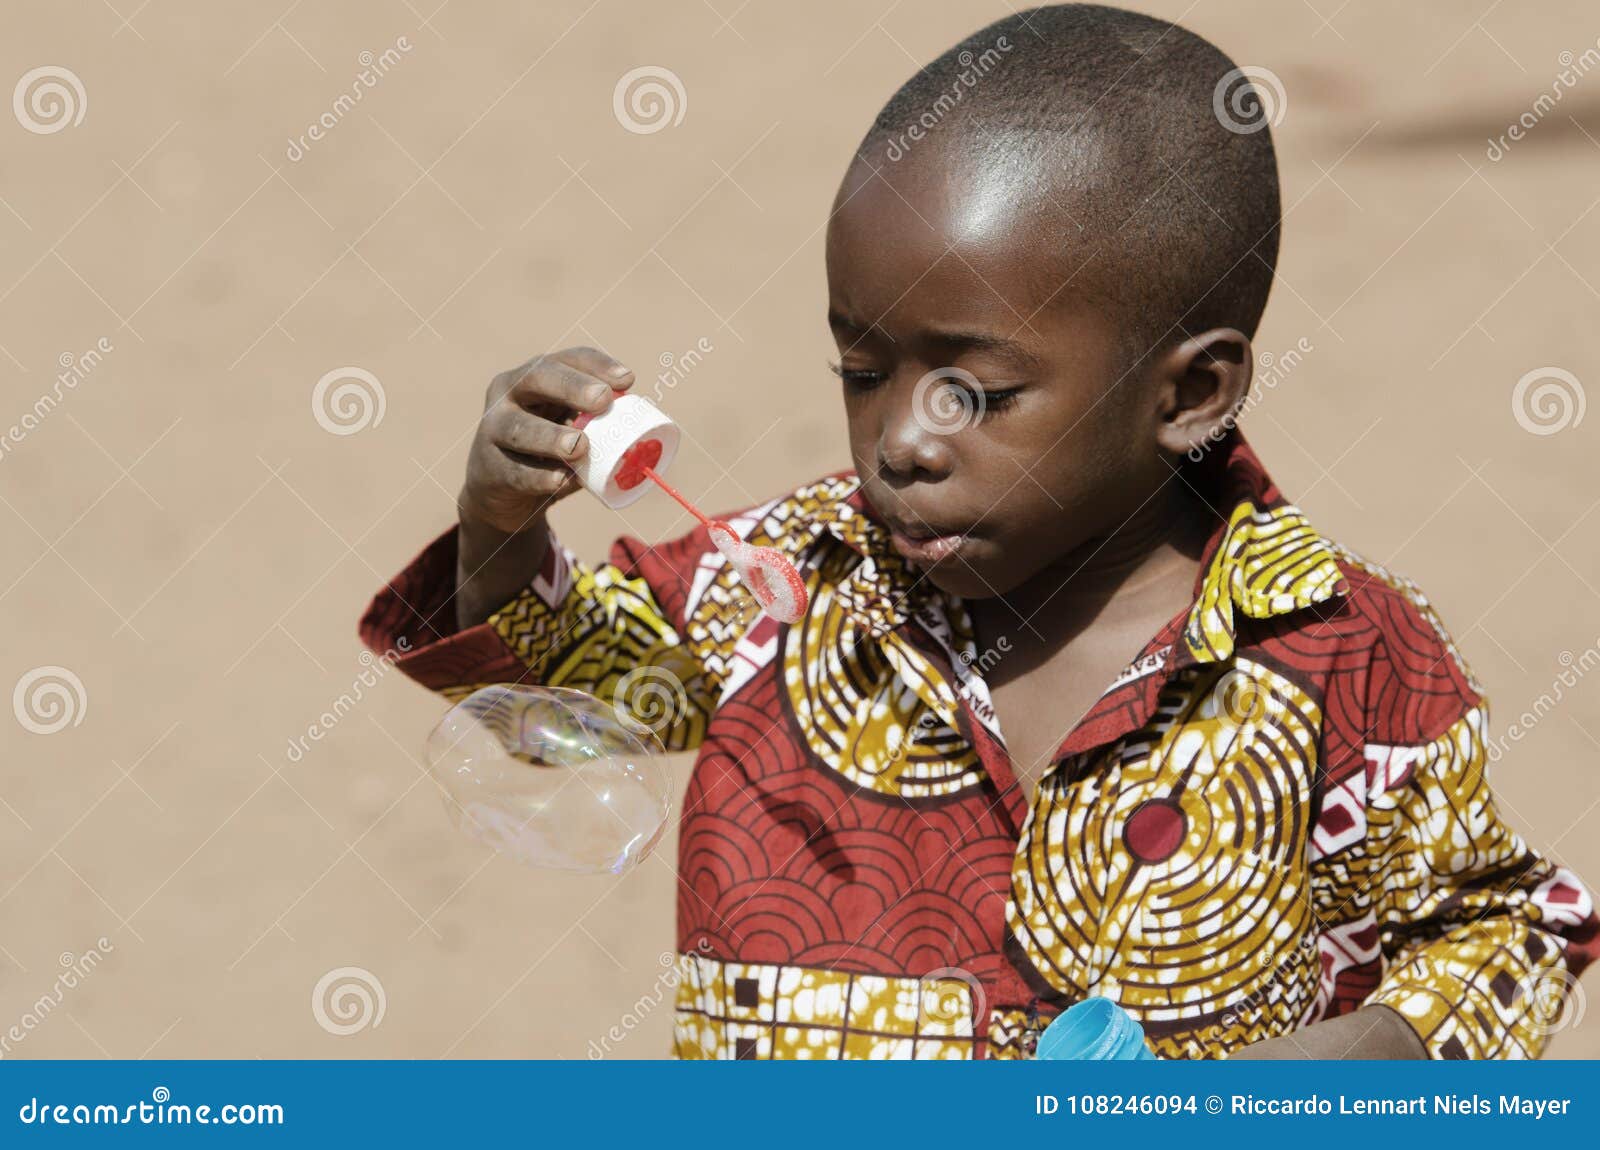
(998, 231)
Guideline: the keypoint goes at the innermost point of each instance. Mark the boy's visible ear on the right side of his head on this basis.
(1202, 385)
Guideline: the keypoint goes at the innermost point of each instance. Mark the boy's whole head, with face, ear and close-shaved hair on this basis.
(1046, 270)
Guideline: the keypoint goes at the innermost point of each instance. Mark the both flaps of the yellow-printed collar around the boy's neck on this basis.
(1263, 561)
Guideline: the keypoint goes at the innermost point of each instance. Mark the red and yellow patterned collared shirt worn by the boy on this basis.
(1276, 815)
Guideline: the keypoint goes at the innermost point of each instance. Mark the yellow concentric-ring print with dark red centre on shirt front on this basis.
(1172, 872)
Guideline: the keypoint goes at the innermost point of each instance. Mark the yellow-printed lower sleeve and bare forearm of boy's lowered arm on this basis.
(1482, 938)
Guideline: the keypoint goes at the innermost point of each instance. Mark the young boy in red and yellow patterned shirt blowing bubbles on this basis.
(1081, 705)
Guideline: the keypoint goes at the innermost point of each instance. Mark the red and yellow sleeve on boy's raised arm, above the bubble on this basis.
(612, 631)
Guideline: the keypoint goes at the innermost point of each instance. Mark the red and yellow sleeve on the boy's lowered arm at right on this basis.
(1482, 936)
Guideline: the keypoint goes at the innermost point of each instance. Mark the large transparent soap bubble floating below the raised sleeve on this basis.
(553, 778)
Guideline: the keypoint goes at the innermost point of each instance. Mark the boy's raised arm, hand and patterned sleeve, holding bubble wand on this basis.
(500, 601)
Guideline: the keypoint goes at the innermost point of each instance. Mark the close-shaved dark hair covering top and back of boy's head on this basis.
(1135, 137)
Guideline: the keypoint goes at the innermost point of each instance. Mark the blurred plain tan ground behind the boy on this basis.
(193, 545)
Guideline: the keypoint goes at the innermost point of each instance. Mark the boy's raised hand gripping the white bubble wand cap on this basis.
(524, 447)
